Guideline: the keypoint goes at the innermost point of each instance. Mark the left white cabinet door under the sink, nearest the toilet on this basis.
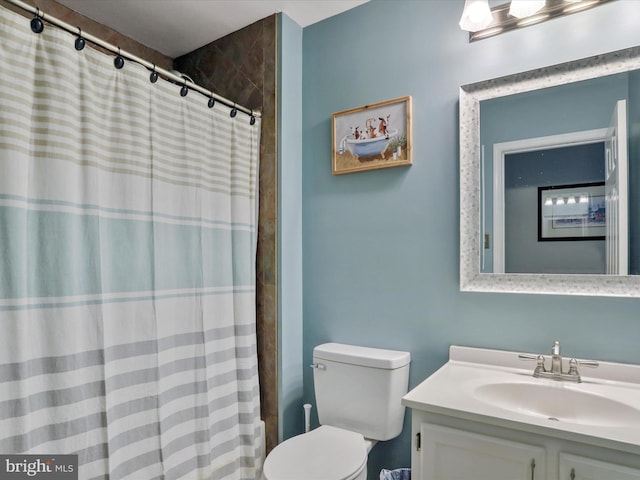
(451, 454)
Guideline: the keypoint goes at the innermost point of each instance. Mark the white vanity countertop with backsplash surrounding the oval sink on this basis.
(453, 391)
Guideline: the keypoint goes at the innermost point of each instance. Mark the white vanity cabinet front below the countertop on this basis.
(450, 448)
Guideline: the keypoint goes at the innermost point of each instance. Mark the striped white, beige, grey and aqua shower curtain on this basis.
(127, 279)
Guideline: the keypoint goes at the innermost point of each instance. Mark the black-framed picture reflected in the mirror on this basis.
(572, 212)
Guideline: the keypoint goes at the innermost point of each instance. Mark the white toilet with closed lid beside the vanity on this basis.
(358, 393)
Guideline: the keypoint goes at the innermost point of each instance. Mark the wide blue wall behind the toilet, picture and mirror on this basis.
(380, 248)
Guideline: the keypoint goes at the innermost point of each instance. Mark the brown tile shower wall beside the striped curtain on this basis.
(242, 68)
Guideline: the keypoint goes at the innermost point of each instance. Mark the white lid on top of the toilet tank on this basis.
(363, 356)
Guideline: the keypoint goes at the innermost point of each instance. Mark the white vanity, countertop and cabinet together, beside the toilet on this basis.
(481, 416)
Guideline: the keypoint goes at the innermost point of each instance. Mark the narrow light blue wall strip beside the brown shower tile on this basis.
(289, 228)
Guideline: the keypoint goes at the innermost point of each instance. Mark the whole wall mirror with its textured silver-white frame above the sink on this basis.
(541, 152)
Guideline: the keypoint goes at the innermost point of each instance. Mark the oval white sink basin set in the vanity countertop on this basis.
(561, 402)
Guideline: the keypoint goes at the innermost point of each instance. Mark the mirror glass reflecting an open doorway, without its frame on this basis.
(559, 188)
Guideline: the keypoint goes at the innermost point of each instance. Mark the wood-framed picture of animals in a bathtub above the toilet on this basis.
(371, 137)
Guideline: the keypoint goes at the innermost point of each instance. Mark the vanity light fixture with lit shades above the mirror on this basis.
(516, 14)
